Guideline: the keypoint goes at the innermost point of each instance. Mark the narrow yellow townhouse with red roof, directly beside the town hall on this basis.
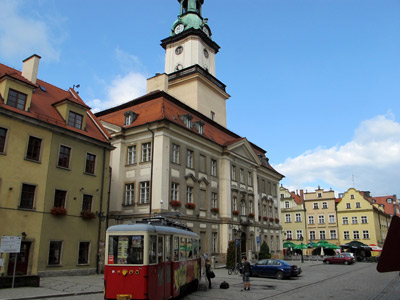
(293, 216)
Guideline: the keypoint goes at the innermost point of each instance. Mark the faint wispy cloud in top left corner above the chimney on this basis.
(21, 35)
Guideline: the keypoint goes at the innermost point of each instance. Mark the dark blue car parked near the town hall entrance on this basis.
(274, 268)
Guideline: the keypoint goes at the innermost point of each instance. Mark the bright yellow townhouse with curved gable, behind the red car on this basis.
(361, 219)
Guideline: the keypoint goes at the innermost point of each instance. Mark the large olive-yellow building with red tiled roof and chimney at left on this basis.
(54, 175)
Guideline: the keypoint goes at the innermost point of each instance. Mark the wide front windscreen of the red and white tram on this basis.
(125, 249)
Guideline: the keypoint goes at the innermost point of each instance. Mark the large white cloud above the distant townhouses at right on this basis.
(371, 159)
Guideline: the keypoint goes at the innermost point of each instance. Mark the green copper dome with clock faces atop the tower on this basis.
(190, 17)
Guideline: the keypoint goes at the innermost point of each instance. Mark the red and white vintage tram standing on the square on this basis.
(152, 259)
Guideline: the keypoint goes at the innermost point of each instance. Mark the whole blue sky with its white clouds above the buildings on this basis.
(313, 82)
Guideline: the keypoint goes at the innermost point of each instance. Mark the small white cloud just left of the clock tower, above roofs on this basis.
(121, 89)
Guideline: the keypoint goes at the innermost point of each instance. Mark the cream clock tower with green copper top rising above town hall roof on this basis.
(190, 64)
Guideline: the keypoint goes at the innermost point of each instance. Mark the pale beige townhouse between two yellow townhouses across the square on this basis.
(321, 216)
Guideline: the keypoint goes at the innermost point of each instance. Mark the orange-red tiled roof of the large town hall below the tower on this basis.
(159, 105)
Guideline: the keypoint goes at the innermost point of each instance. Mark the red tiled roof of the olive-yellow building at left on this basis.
(43, 105)
